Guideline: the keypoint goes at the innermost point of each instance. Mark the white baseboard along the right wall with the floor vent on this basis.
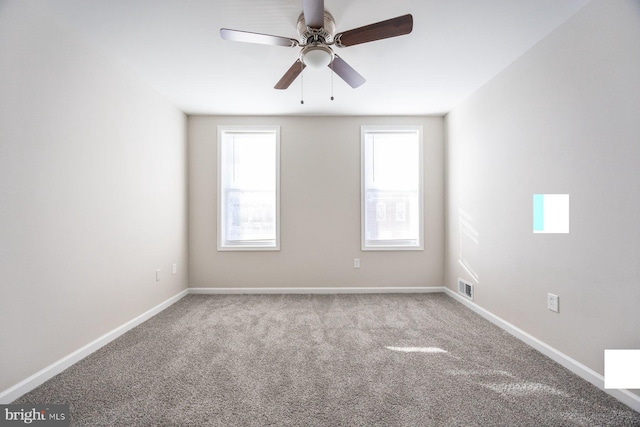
(625, 396)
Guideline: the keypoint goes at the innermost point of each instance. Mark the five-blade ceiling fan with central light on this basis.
(316, 28)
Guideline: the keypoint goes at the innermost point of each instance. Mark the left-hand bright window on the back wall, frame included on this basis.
(248, 188)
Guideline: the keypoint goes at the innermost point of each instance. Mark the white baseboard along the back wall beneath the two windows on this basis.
(354, 290)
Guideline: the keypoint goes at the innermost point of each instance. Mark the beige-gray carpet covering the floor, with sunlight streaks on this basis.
(324, 360)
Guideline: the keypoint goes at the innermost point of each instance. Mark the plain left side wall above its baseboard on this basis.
(92, 194)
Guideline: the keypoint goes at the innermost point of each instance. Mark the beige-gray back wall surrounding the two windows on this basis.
(320, 209)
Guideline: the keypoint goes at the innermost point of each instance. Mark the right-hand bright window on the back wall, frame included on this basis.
(392, 188)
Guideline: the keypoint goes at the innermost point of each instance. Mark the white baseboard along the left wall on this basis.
(28, 384)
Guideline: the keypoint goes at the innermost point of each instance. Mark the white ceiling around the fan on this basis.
(174, 45)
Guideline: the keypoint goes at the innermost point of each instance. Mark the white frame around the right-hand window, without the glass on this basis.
(391, 245)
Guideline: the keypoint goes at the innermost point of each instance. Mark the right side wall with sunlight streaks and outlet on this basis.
(564, 118)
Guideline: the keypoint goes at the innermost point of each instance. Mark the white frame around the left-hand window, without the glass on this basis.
(221, 243)
